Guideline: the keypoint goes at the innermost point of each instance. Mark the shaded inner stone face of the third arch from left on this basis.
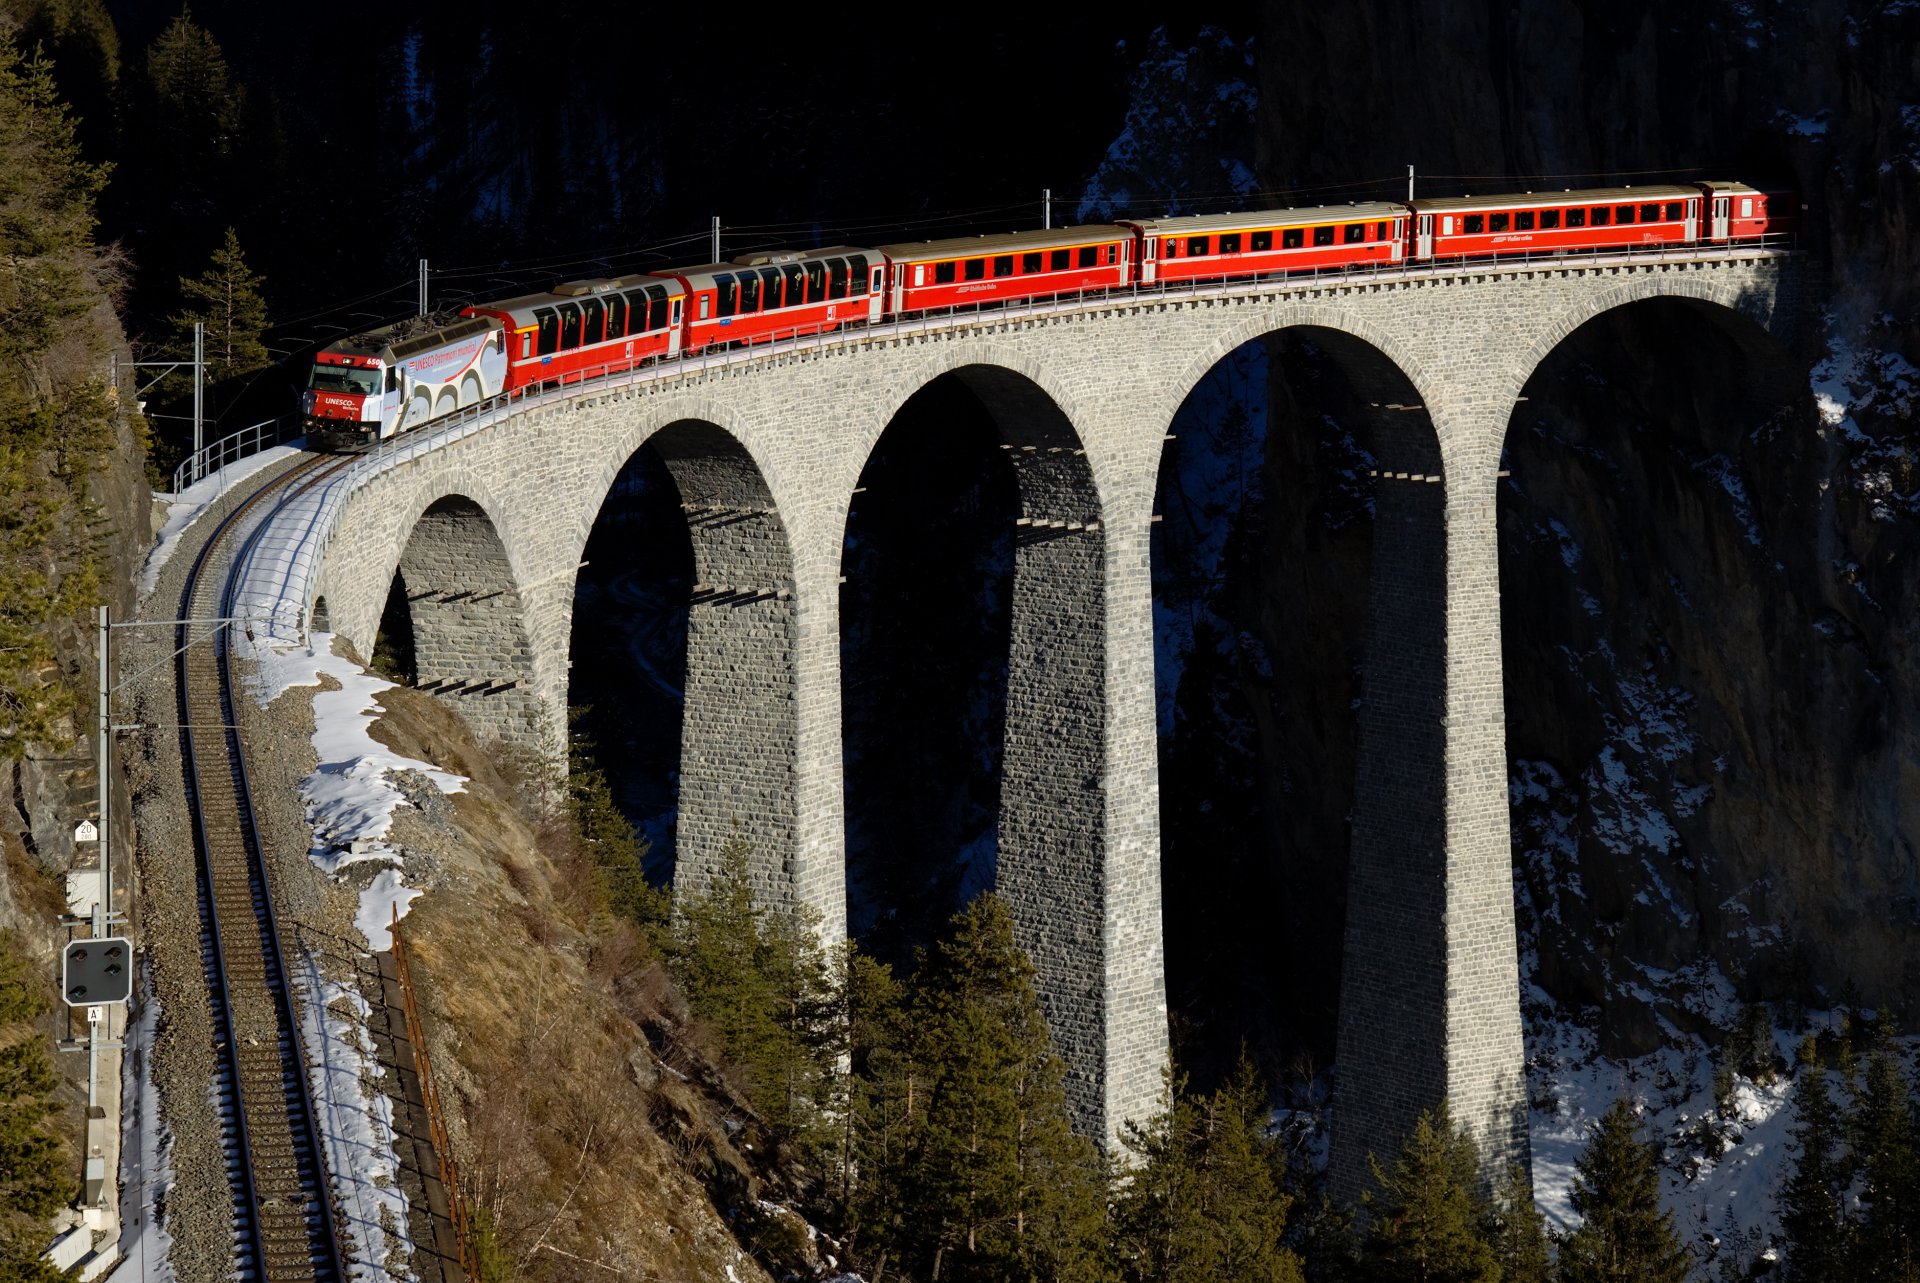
(1051, 861)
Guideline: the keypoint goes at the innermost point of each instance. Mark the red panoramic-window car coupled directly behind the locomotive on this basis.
(587, 327)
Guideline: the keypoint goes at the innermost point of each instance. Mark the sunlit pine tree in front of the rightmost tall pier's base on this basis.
(1428, 1222)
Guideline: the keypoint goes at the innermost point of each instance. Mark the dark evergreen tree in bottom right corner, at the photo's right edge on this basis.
(1888, 1240)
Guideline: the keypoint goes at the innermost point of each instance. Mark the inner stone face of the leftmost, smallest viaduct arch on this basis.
(468, 617)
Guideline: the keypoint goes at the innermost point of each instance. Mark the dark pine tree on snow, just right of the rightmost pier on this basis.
(1623, 1238)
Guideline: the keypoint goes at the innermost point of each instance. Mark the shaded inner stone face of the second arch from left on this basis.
(740, 731)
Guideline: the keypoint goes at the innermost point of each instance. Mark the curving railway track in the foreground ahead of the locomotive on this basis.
(281, 1196)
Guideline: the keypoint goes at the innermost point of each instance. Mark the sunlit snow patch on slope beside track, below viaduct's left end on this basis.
(350, 794)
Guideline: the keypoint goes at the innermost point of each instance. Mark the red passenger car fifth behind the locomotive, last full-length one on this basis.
(1554, 224)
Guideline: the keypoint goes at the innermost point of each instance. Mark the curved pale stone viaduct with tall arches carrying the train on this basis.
(487, 520)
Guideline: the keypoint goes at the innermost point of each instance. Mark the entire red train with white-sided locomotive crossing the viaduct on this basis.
(387, 381)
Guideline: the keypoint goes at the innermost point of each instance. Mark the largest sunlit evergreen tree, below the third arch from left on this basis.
(986, 1178)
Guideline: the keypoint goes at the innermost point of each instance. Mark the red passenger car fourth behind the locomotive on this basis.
(1245, 245)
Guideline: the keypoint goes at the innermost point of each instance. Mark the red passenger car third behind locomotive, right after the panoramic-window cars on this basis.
(974, 270)
